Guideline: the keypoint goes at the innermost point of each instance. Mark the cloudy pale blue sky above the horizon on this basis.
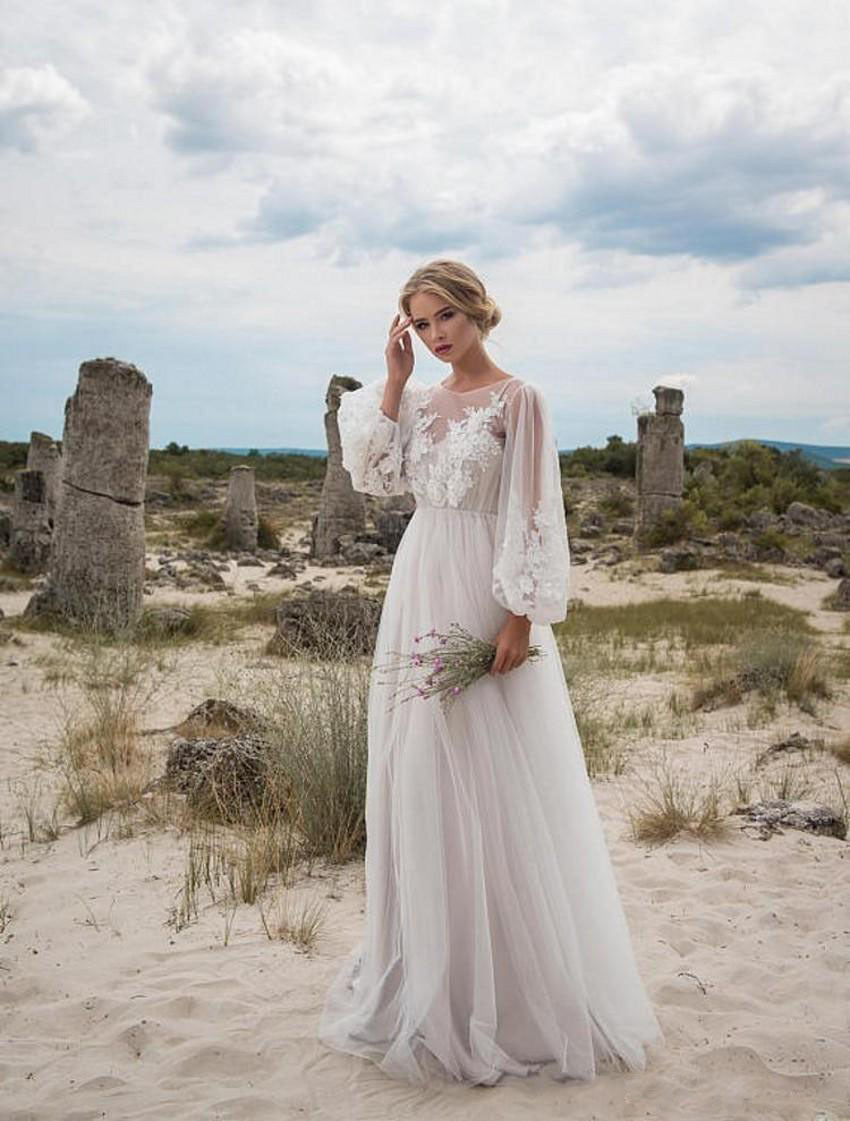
(232, 196)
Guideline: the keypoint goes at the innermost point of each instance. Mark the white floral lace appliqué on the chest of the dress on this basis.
(446, 478)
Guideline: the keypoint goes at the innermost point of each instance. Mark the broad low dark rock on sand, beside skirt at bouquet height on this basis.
(324, 622)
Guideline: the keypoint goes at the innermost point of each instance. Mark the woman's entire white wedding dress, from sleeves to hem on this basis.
(495, 938)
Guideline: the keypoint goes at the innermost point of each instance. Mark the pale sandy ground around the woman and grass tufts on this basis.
(109, 1013)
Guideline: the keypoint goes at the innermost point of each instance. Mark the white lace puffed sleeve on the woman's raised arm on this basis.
(373, 443)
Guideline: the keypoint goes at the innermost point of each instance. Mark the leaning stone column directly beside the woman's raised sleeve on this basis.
(341, 508)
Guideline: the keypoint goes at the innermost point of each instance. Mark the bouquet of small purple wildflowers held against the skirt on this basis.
(451, 664)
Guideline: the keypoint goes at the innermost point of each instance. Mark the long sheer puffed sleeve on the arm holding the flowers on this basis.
(532, 558)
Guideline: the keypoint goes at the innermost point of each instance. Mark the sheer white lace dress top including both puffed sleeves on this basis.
(491, 451)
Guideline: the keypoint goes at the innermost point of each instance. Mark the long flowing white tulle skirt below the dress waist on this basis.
(495, 940)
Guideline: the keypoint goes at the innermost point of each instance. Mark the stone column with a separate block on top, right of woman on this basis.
(661, 457)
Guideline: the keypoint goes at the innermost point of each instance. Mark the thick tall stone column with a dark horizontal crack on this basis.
(98, 560)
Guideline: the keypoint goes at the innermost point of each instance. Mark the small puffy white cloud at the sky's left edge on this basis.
(38, 105)
